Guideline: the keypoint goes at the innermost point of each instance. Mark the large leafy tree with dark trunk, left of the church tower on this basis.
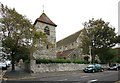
(18, 33)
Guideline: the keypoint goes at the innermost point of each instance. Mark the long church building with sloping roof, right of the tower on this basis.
(70, 47)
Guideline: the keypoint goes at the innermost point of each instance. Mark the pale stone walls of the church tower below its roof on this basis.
(47, 51)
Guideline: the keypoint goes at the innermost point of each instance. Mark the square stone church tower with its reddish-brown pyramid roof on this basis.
(48, 50)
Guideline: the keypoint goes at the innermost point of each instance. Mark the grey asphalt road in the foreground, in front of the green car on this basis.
(84, 77)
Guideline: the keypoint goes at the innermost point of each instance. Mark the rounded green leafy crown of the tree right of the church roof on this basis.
(100, 33)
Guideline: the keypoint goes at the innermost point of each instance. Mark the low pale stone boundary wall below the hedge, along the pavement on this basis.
(56, 67)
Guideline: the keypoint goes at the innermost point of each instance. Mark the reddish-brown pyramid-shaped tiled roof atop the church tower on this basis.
(44, 19)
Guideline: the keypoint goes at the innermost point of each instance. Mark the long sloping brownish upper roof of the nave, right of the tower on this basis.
(70, 39)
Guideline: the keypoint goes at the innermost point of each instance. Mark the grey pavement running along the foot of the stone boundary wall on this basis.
(20, 74)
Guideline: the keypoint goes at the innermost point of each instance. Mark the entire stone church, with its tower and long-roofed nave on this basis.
(67, 48)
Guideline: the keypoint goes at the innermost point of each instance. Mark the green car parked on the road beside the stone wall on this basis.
(93, 68)
